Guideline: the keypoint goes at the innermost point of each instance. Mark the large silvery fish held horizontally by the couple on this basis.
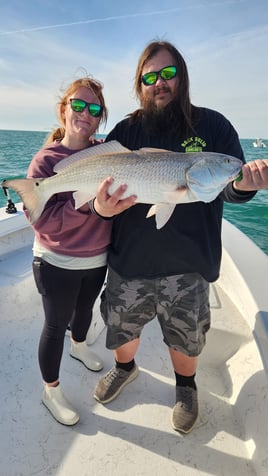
(158, 177)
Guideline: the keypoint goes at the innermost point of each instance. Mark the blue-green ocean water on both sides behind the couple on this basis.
(18, 147)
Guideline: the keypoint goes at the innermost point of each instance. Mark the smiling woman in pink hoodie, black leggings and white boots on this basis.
(70, 245)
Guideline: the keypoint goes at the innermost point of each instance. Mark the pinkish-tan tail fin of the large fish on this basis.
(28, 191)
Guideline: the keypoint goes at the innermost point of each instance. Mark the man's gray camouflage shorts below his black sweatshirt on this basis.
(181, 304)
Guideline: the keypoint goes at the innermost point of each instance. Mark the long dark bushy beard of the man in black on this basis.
(163, 119)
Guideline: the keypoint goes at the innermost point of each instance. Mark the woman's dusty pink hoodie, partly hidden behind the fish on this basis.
(61, 228)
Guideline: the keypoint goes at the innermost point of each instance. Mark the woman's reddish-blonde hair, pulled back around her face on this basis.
(88, 82)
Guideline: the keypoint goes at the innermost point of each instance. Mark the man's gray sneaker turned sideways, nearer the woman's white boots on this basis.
(113, 382)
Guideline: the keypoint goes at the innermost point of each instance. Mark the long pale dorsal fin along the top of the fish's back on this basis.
(111, 147)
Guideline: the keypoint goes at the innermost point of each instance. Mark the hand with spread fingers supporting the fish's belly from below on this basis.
(109, 205)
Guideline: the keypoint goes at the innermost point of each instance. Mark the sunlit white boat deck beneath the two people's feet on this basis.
(131, 435)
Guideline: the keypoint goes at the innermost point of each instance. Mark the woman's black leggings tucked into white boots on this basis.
(68, 297)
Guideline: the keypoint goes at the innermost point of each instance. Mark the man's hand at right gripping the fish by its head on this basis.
(254, 176)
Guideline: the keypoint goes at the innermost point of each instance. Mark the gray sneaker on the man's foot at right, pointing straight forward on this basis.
(185, 412)
